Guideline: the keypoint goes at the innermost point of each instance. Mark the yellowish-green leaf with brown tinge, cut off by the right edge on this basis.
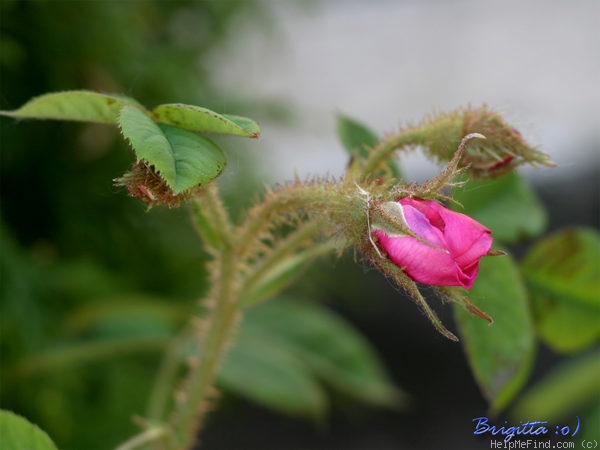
(563, 275)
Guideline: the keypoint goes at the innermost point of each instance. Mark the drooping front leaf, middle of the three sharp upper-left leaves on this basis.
(184, 159)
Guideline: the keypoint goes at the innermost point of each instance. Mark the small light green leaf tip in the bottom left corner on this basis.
(18, 433)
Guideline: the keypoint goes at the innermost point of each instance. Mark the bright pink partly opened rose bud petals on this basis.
(450, 247)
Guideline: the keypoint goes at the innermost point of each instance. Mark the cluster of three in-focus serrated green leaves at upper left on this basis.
(182, 158)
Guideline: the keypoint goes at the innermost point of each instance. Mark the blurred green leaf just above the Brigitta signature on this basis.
(565, 391)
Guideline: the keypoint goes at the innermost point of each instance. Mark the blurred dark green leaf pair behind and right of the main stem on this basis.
(289, 349)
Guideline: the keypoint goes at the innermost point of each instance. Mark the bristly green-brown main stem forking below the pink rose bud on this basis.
(245, 258)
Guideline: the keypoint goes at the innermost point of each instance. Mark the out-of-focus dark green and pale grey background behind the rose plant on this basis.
(81, 261)
